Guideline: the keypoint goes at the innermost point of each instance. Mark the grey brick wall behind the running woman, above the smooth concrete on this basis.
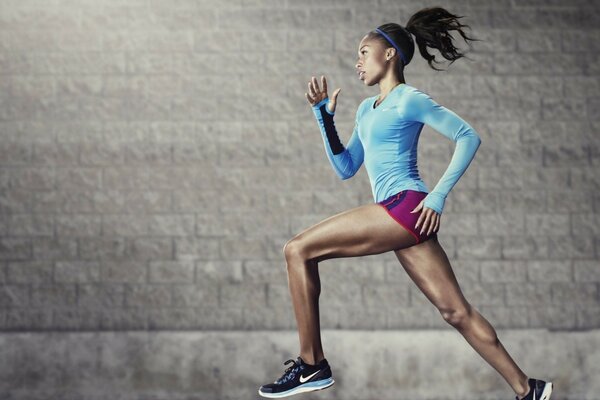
(157, 155)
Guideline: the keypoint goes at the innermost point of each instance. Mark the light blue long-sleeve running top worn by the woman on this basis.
(385, 138)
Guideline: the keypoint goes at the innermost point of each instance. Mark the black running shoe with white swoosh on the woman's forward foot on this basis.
(299, 377)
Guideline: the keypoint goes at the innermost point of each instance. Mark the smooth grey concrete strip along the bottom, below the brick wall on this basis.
(408, 364)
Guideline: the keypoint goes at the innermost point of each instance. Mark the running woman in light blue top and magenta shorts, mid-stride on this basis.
(405, 216)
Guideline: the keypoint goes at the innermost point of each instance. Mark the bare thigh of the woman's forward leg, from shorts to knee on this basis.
(360, 231)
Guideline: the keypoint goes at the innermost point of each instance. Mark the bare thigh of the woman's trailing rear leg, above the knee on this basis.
(428, 266)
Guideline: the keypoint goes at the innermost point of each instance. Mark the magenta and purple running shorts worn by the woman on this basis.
(400, 205)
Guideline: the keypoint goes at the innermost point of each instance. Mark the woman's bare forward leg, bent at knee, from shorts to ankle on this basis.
(360, 231)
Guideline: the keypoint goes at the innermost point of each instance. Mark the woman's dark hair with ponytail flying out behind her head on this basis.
(431, 28)
